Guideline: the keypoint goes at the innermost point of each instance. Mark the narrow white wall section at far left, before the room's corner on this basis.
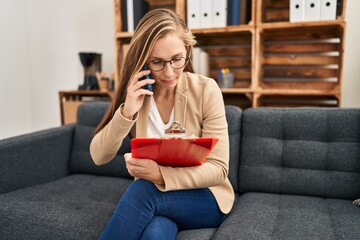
(15, 106)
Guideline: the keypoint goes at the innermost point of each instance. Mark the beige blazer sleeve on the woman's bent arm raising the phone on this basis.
(106, 143)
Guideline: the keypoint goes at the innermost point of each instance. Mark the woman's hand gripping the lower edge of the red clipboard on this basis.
(144, 168)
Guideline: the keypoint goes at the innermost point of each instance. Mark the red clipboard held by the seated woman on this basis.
(174, 152)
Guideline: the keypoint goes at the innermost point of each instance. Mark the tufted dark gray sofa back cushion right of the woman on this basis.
(307, 151)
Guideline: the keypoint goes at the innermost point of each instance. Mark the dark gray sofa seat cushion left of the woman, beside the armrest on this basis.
(74, 207)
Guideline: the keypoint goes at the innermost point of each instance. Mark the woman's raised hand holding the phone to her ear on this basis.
(136, 93)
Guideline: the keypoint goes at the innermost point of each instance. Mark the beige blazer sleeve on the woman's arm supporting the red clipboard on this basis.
(214, 170)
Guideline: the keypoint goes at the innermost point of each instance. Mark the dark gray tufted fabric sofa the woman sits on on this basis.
(295, 172)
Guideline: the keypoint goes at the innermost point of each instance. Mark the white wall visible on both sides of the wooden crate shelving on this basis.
(39, 45)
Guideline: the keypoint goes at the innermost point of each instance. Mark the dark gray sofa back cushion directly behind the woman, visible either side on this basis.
(89, 116)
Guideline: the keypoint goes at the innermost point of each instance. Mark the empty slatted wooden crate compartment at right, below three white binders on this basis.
(301, 57)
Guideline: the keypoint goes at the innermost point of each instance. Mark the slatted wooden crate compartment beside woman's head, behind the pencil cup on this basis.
(233, 51)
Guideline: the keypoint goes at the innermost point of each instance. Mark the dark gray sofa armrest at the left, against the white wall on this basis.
(35, 158)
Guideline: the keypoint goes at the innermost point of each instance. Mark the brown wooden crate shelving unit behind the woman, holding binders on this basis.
(275, 62)
